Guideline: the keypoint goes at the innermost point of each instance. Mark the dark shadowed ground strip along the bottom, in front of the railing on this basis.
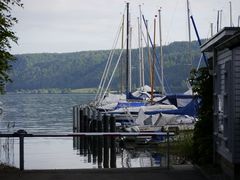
(175, 173)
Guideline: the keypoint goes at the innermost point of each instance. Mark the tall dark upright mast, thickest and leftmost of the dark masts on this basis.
(127, 56)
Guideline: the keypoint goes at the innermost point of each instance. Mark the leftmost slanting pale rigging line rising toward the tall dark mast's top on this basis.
(113, 48)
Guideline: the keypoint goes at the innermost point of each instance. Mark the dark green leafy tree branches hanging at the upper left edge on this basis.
(7, 35)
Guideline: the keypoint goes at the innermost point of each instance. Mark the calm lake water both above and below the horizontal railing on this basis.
(52, 113)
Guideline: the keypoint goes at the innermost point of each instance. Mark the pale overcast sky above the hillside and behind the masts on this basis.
(78, 25)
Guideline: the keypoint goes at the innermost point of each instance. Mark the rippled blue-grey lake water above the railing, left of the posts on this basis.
(40, 113)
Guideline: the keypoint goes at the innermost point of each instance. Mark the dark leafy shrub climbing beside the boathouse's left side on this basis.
(202, 83)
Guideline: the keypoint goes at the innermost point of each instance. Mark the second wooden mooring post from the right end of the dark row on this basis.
(105, 142)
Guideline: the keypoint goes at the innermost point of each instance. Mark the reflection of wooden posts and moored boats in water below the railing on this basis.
(104, 155)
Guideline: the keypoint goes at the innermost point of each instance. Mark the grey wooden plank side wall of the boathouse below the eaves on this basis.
(223, 98)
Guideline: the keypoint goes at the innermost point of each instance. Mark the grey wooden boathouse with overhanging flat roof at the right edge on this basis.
(223, 51)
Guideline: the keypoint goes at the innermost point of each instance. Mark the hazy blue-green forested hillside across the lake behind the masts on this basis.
(84, 69)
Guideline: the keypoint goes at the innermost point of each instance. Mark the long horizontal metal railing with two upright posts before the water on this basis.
(21, 134)
